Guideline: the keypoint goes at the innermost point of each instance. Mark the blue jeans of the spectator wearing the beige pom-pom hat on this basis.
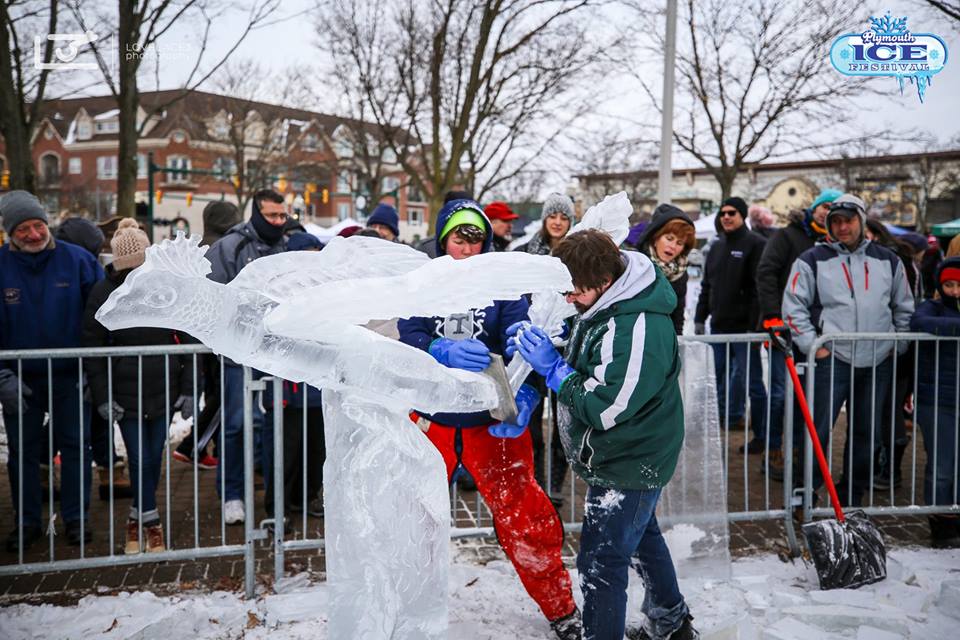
(146, 460)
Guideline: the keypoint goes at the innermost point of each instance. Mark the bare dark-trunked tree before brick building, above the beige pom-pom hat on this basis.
(140, 25)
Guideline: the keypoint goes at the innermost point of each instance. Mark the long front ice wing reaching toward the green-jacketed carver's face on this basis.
(440, 287)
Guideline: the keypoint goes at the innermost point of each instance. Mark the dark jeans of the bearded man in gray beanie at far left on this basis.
(71, 437)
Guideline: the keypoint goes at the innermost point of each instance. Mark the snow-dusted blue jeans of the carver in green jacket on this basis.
(620, 525)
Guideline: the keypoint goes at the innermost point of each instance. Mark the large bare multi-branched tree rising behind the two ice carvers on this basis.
(463, 91)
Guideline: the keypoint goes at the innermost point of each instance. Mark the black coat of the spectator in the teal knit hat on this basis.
(779, 254)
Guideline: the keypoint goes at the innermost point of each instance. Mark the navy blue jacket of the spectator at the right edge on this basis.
(941, 318)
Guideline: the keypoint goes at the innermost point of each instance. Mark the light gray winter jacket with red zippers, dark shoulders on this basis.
(834, 290)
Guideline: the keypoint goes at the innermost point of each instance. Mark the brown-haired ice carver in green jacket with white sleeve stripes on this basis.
(621, 423)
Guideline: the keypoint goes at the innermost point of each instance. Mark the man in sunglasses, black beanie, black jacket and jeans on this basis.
(728, 296)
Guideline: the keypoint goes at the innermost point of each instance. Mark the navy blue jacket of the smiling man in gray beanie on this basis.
(44, 295)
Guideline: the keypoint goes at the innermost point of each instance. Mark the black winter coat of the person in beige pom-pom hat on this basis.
(124, 370)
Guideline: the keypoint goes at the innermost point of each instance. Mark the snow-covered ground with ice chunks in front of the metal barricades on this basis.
(765, 600)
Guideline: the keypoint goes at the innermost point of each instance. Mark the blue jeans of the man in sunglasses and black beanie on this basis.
(733, 398)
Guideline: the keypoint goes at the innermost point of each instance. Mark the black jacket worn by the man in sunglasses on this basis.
(728, 292)
